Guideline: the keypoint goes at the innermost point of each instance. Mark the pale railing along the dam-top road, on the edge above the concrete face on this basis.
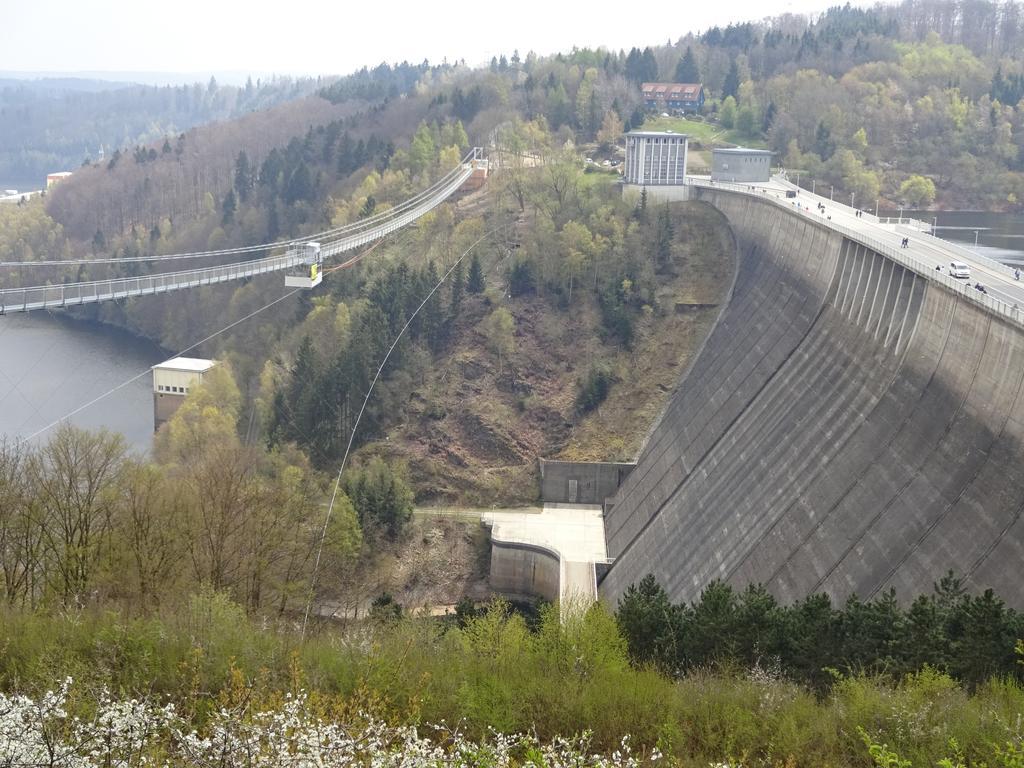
(1011, 312)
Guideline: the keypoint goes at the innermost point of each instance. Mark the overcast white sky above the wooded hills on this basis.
(338, 36)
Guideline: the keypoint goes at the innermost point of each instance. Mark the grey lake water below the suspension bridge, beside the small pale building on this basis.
(51, 366)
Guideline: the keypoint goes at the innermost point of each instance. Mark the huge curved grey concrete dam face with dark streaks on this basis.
(849, 426)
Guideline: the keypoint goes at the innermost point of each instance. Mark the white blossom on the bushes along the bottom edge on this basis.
(134, 733)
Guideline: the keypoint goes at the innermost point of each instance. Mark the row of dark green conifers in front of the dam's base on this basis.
(971, 637)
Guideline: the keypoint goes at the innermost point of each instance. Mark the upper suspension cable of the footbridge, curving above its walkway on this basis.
(333, 234)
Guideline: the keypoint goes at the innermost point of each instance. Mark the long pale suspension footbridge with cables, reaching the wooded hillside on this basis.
(296, 254)
